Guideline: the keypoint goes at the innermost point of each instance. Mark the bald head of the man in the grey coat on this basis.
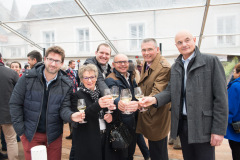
(185, 43)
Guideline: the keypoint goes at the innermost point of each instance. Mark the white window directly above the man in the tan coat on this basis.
(136, 35)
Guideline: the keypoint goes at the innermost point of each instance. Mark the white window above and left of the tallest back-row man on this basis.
(83, 39)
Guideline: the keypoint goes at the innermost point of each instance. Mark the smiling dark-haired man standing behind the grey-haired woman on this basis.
(101, 59)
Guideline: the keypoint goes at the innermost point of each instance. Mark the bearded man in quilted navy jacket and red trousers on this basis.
(39, 104)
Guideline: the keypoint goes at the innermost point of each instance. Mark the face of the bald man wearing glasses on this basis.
(121, 63)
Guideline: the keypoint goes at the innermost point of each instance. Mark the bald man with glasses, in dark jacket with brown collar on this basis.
(123, 79)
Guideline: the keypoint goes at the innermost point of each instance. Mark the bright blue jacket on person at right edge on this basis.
(234, 109)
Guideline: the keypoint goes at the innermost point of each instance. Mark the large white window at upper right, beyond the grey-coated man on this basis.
(226, 25)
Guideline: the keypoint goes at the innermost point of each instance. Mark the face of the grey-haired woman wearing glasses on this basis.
(89, 79)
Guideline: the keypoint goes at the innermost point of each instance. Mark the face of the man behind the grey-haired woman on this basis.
(103, 55)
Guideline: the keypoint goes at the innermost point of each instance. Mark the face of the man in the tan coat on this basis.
(149, 51)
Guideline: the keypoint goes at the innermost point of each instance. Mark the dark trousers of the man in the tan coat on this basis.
(158, 149)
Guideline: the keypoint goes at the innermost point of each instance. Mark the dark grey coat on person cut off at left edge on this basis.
(8, 79)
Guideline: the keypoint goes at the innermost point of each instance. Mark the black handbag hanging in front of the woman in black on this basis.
(120, 137)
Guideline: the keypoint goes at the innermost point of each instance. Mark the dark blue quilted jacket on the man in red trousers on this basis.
(26, 104)
